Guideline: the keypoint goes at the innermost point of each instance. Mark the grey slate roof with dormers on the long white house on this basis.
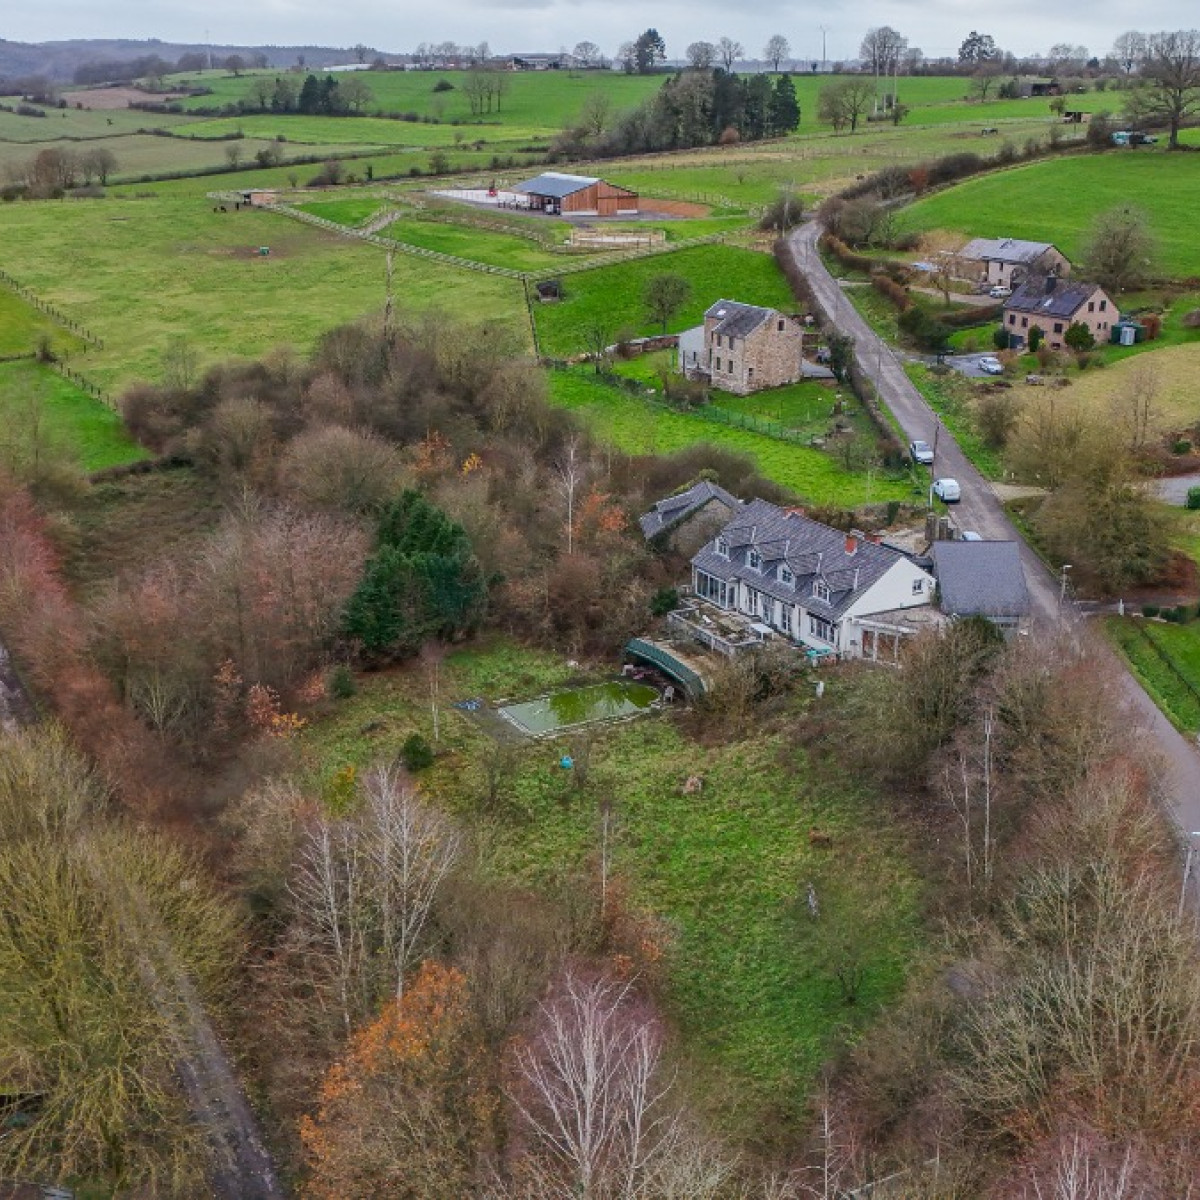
(812, 551)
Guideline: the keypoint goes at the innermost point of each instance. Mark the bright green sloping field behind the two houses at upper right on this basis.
(1059, 200)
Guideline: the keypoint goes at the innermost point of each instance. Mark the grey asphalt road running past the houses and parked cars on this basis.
(981, 511)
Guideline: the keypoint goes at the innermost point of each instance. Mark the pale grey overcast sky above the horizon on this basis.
(938, 27)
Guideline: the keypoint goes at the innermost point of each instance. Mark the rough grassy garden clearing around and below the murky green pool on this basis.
(749, 976)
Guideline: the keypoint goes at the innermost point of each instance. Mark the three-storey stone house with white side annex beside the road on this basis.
(742, 349)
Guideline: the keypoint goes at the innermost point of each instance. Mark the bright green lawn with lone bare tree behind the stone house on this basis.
(614, 296)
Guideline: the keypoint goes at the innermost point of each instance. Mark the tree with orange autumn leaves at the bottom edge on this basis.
(404, 1113)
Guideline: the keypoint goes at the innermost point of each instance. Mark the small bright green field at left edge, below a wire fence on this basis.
(70, 421)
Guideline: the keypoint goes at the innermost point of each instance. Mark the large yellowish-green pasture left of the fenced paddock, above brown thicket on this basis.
(141, 273)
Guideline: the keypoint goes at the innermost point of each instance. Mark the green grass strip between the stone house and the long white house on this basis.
(639, 427)
